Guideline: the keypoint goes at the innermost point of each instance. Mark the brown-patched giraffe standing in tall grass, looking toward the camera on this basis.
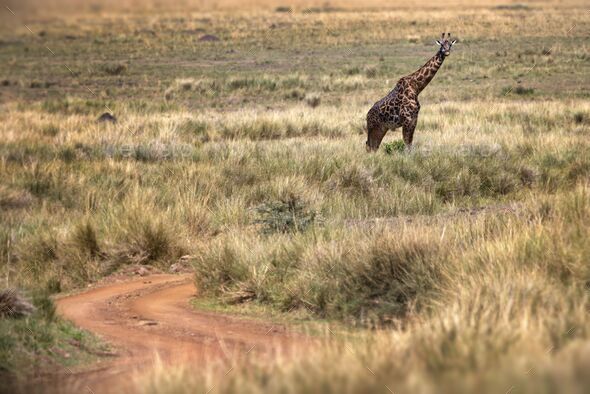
(400, 107)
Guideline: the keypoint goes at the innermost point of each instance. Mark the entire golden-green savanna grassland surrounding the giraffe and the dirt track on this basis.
(461, 266)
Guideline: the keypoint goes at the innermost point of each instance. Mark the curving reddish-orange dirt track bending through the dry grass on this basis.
(149, 319)
